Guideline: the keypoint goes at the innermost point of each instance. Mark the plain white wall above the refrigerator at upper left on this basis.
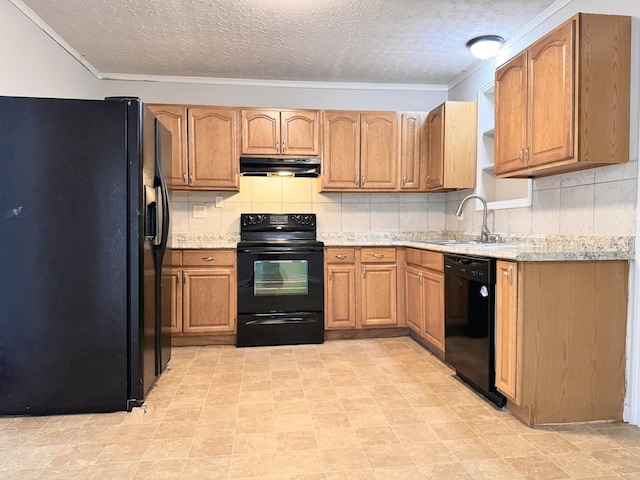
(35, 66)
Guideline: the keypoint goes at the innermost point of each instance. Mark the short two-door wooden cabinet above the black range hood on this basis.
(281, 132)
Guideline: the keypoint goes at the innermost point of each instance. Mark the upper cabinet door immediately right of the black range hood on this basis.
(341, 151)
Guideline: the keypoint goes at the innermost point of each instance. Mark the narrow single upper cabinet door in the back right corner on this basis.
(410, 158)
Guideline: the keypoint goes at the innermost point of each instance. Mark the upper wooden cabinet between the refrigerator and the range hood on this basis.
(210, 162)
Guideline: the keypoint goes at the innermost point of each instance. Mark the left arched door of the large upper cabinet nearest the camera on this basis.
(510, 115)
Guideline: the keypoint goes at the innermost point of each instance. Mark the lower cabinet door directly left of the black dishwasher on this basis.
(433, 294)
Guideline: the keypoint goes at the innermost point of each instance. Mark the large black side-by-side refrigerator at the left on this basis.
(85, 291)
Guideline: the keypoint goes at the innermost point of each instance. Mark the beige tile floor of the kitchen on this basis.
(352, 410)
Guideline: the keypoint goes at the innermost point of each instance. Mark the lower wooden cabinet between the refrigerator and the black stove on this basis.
(204, 293)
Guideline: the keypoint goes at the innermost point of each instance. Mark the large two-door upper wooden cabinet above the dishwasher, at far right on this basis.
(563, 104)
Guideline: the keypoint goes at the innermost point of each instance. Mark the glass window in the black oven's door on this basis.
(280, 277)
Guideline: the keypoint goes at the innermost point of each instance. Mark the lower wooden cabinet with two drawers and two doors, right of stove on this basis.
(360, 288)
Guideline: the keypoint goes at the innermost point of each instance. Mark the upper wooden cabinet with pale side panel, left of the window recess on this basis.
(450, 146)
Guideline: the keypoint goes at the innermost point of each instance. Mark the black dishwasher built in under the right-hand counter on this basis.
(470, 322)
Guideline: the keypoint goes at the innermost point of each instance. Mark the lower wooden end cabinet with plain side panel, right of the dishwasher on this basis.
(560, 339)
